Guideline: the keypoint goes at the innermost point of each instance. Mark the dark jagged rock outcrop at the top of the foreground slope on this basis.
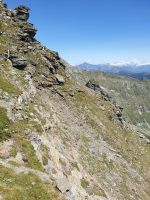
(17, 54)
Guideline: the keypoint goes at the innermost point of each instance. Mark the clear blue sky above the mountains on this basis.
(97, 31)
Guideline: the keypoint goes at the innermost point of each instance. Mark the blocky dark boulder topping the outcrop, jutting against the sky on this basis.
(21, 13)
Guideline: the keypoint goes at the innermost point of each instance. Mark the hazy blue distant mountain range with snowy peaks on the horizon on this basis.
(134, 70)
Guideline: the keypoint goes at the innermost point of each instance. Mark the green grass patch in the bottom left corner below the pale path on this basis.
(25, 186)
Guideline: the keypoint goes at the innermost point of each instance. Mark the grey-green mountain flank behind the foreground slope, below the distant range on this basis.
(131, 94)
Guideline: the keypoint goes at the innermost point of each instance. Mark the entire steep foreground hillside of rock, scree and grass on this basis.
(60, 139)
